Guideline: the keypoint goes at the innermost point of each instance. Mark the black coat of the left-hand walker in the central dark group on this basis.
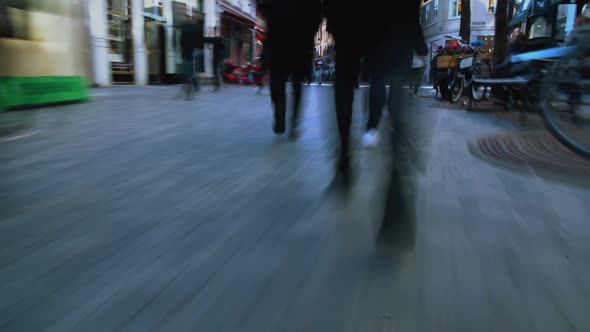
(292, 25)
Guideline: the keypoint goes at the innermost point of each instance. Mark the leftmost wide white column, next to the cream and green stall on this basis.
(99, 47)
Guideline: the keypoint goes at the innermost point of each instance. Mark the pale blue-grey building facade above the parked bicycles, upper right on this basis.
(440, 18)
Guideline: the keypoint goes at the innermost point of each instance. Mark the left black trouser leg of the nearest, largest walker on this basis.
(348, 60)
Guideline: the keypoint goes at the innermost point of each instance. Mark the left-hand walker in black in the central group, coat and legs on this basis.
(292, 25)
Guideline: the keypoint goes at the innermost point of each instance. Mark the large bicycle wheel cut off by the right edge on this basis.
(565, 103)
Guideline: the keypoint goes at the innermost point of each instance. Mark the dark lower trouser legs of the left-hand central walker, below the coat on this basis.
(278, 95)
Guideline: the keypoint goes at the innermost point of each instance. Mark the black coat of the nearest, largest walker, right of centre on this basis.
(383, 32)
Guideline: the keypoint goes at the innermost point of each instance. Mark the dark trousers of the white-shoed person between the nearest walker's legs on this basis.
(378, 97)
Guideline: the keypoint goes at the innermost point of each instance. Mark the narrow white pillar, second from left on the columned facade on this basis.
(140, 58)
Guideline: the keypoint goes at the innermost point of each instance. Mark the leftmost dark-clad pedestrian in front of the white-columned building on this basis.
(191, 44)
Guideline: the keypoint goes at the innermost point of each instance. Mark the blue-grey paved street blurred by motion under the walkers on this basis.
(140, 212)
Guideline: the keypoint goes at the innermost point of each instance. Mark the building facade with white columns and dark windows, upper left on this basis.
(138, 41)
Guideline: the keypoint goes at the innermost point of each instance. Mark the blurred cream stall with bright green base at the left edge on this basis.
(45, 44)
